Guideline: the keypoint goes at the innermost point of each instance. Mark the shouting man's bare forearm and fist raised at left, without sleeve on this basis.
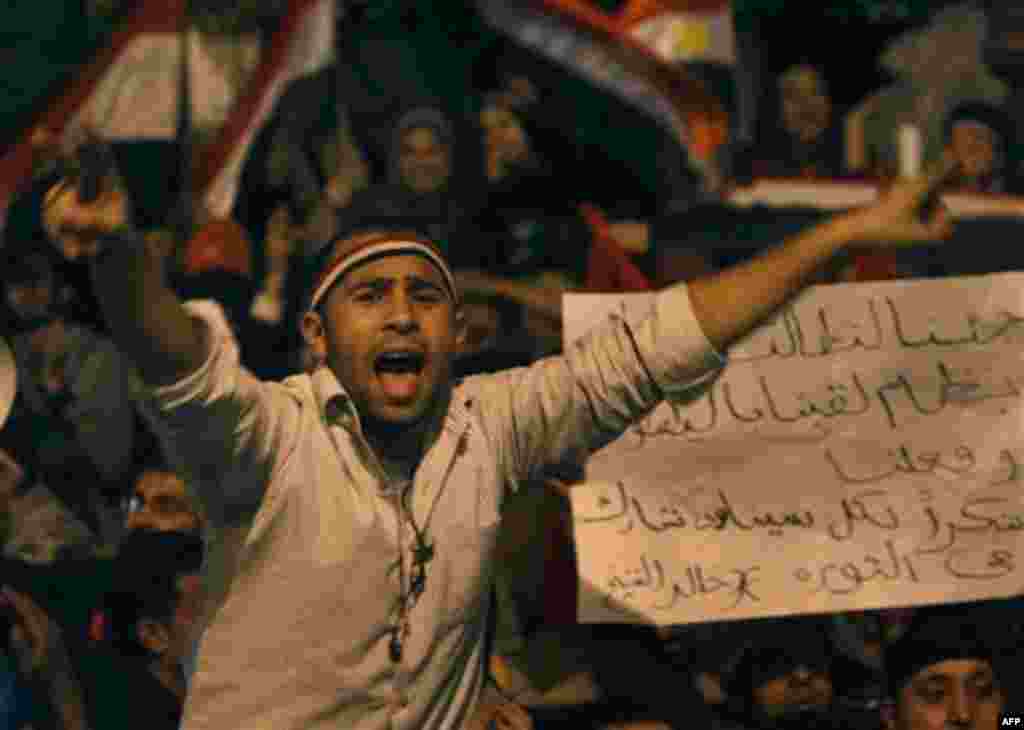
(147, 320)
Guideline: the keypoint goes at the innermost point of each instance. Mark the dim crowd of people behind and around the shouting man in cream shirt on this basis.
(105, 600)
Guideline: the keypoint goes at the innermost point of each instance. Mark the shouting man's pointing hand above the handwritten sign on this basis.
(895, 222)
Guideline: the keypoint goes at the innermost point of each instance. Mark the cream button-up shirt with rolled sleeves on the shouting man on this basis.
(303, 561)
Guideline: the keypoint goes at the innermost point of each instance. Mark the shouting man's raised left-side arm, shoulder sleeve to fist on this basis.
(221, 426)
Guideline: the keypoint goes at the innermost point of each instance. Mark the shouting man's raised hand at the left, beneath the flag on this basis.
(77, 228)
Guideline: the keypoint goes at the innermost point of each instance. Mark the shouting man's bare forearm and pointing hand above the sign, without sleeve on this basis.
(732, 304)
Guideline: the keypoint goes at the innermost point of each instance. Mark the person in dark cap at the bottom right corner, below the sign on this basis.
(944, 673)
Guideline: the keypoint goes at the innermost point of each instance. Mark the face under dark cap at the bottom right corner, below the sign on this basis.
(953, 695)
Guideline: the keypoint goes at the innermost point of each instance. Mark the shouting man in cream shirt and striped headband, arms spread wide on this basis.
(355, 509)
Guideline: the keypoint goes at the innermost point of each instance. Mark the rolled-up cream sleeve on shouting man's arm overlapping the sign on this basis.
(563, 409)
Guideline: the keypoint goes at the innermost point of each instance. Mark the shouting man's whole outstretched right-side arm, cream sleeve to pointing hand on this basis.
(563, 409)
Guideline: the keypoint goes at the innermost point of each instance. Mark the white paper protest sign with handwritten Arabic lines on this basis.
(862, 450)
